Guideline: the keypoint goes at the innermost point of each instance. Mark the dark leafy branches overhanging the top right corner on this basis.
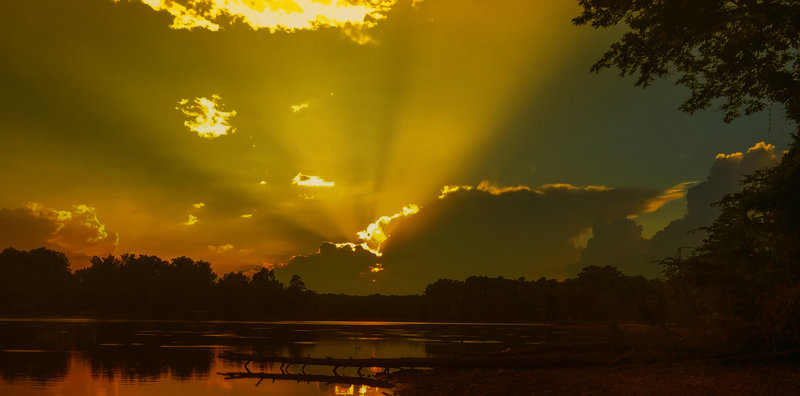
(743, 51)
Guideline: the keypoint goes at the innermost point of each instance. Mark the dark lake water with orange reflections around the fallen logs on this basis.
(131, 357)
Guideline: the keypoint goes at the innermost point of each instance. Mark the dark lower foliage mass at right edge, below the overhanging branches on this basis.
(747, 272)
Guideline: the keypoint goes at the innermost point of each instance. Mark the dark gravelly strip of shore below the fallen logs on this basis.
(672, 378)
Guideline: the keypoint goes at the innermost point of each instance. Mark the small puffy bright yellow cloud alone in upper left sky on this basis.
(206, 117)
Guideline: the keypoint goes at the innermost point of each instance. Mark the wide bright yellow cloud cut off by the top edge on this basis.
(352, 16)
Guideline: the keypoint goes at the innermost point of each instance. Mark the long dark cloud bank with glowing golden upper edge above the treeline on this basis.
(476, 230)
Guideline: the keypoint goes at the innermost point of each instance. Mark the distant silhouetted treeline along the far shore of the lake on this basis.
(39, 282)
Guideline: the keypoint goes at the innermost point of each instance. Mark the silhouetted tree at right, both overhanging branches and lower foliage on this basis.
(745, 53)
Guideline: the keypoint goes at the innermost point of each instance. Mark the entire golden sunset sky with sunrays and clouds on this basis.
(368, 146)
